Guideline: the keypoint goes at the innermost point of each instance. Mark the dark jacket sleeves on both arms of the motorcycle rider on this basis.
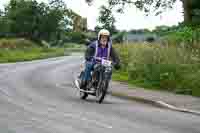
(90, 52)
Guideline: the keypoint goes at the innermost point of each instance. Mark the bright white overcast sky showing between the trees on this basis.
(131, 19)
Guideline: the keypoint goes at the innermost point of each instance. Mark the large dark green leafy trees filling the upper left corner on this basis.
(35, 21)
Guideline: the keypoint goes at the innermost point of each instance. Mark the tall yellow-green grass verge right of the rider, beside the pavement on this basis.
(169, 68)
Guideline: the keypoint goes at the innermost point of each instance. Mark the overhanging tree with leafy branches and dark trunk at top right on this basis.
(156, 6)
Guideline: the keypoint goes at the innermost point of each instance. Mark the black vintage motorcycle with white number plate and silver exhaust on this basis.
(99, 83)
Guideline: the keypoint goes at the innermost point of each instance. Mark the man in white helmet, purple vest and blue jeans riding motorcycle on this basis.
(102, 48)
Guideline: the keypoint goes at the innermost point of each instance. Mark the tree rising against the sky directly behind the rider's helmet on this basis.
(106, 19)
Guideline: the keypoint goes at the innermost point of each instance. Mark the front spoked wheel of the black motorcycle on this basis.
(101, 91)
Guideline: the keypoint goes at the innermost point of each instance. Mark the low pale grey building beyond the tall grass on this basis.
(139, 37)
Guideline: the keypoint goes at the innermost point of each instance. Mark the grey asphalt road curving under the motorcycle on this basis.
(38, 97)
